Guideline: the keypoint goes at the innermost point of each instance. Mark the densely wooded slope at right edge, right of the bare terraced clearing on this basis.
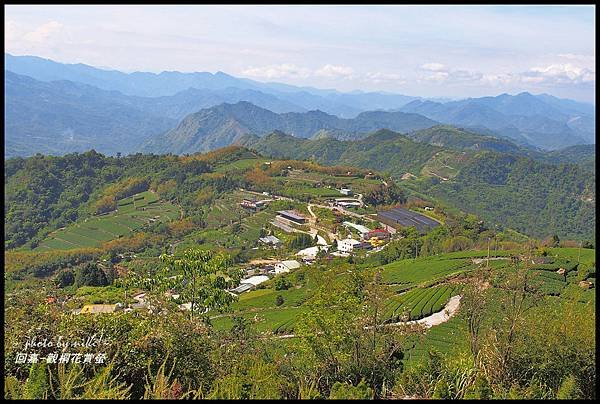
(530, 196)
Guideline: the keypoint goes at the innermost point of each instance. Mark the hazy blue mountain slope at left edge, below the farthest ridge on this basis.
(63, 117)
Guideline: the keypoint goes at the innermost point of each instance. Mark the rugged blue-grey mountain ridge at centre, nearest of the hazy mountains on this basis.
(224, 124)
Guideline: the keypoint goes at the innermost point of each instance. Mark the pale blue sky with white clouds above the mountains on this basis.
(428, 51)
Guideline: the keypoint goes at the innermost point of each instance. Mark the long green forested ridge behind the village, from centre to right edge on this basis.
(529, 195)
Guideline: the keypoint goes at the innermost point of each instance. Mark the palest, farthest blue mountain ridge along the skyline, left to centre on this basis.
(147, 84)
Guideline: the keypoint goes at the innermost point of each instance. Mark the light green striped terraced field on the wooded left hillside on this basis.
(131, 215)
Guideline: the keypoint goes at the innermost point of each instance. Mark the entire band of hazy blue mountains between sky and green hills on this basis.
(57, 108)
